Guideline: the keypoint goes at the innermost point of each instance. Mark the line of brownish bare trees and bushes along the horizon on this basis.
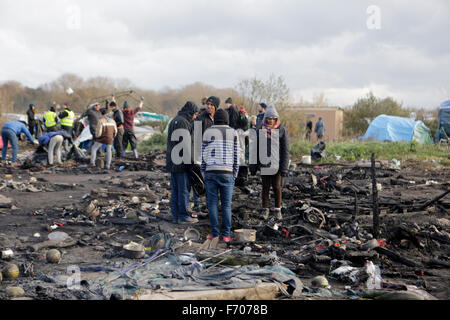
(79, 93)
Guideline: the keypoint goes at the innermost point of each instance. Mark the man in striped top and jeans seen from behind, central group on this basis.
(220, 166)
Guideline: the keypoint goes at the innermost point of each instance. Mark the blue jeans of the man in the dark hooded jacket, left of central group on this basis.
(179, 197)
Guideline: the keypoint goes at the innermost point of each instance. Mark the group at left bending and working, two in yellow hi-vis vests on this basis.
(58, 132)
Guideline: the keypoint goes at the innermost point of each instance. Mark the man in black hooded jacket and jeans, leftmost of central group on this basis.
(179, 180)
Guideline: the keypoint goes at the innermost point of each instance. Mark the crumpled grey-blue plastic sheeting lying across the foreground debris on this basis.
(185, 273)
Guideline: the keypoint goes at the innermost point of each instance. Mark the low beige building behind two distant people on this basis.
(333, 118)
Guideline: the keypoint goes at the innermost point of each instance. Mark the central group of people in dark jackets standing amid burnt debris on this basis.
(224, 159)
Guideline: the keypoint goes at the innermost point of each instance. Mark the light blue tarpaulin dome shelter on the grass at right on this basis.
(392, 128)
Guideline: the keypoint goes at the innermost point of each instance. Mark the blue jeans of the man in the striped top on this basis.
(223, 183)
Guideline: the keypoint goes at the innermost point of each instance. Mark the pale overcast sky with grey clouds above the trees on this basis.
(343, 49)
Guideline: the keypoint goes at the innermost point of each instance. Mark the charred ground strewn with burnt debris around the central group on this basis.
(115, 238)
